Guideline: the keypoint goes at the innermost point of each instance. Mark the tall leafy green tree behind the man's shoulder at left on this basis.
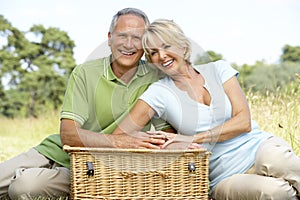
(35, 69)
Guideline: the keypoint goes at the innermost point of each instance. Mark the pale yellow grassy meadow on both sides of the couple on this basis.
(276, 113)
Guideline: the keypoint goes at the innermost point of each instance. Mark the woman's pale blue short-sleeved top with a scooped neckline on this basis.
(189, 117)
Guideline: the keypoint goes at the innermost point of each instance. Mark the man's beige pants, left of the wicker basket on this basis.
(31, 174)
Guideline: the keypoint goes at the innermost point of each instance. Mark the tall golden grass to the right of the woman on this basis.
(278, 114)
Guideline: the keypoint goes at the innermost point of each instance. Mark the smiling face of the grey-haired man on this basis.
(125, 42)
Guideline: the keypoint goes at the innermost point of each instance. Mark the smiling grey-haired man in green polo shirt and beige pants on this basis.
(99, 94)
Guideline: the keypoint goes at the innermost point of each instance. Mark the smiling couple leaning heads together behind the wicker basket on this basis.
(112, 102)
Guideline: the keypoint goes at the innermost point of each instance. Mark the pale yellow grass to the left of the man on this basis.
(18, 135)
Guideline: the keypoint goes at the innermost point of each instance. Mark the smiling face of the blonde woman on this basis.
(167, 57)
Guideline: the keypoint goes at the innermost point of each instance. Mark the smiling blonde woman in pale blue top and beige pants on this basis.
(207, 106)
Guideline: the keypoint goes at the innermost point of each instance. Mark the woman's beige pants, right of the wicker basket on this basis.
(275, 175)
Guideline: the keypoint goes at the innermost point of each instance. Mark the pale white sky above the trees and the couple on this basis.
(242, 31)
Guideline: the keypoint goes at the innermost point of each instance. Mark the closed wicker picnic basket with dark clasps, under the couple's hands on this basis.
(109, 173)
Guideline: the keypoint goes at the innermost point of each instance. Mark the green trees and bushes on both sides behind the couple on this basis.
(35, 65)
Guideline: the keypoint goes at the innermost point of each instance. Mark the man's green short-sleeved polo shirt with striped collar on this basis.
(98, 101)
